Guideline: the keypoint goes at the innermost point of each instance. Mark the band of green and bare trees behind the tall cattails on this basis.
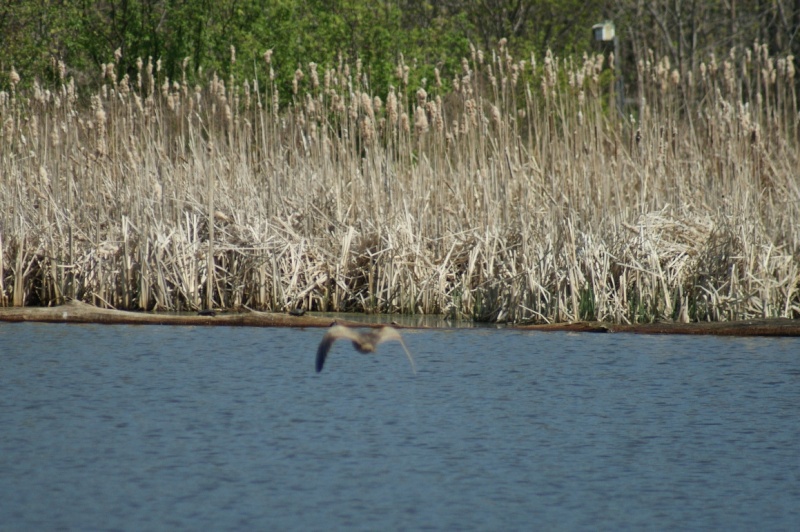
(84, 34)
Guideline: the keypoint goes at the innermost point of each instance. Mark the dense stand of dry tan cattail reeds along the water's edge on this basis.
(512, 191)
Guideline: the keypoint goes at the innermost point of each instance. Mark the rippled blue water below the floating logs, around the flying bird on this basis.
(144, 428)
